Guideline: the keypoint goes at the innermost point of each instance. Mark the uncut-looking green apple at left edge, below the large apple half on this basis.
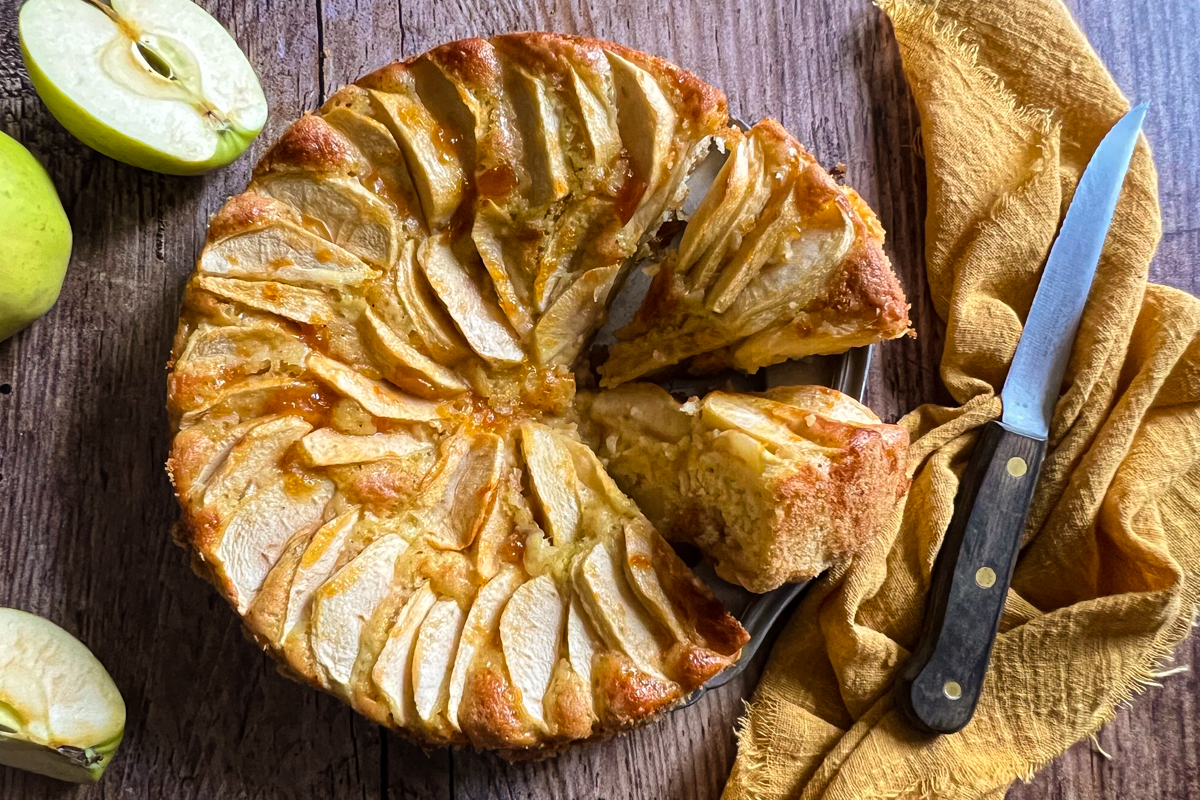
(35, 239)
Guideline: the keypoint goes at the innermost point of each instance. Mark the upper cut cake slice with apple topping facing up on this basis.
(778, 263)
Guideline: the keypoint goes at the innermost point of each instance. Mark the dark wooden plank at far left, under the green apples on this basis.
(85, 504)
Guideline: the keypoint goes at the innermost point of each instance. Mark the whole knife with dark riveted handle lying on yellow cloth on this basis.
(940, 685)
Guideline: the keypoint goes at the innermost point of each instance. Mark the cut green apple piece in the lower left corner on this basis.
(61, 713)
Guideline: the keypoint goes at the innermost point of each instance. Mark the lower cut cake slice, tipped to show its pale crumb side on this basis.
(773, 488)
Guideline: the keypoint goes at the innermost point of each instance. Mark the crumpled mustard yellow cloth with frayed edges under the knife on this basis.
(1013, 101)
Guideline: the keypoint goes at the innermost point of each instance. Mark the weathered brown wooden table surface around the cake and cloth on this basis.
(86, 508)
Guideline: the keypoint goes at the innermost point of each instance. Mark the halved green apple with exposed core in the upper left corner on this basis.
(159, 85)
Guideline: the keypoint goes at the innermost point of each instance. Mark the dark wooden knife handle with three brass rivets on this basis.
(940, 685)
